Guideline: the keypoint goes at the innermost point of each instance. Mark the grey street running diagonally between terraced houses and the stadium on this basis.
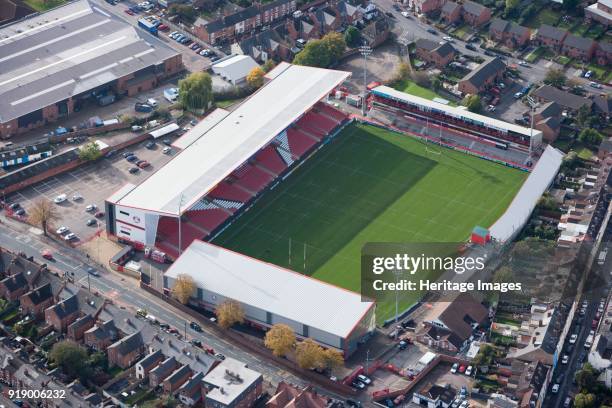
(125, 292)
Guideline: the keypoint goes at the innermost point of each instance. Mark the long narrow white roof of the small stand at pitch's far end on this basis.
(458, 112)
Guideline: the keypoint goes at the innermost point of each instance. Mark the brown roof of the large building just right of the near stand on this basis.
(459, 315)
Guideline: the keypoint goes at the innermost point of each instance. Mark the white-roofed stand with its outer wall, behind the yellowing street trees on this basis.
(270, 294)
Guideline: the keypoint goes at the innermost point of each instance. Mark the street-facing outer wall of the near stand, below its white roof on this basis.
(263, 319)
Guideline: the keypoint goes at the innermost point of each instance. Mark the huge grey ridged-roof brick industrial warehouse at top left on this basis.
(76, 55)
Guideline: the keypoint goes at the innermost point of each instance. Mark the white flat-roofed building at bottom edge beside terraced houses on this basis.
(232, 384)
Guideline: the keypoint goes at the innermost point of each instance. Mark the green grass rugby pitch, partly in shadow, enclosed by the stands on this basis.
(371, 185)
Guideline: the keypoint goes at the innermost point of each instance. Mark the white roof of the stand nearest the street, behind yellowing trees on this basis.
(271, 288)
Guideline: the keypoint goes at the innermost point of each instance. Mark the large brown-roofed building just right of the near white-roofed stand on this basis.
(459, 318)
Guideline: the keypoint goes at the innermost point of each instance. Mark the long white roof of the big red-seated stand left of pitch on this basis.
(251, 126)
